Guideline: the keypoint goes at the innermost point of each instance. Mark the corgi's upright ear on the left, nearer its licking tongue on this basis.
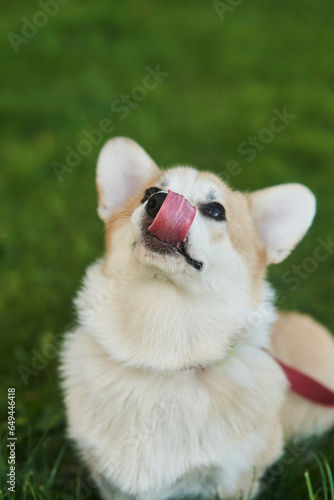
(123, 167)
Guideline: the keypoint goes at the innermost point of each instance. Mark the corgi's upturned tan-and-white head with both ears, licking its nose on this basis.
(183, 224)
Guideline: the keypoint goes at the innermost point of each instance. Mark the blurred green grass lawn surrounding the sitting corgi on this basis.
(228, 67)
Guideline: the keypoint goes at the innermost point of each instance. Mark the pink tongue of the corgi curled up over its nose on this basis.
(174, 219)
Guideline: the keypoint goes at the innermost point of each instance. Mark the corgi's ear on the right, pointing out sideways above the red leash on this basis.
(282, 215)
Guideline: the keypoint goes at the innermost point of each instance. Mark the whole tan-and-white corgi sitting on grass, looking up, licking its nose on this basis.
(171, 383)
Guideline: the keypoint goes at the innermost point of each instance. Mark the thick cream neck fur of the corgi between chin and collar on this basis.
(154, 324)
